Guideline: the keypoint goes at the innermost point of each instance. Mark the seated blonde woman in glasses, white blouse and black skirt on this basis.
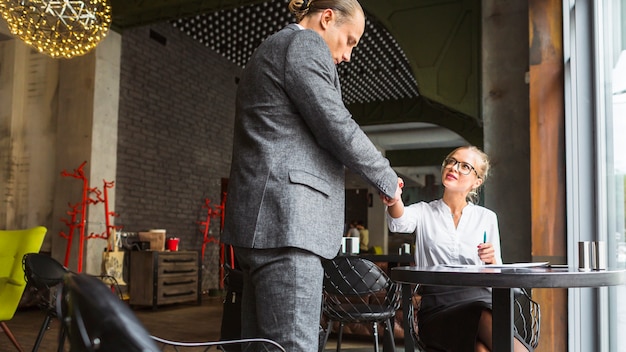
(454, 230)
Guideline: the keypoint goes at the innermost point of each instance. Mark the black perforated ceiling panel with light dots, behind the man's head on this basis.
(378, 71)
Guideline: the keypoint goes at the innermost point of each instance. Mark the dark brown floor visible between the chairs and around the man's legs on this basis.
(182, 322)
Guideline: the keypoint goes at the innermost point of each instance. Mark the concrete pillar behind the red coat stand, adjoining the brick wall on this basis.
(87, 132)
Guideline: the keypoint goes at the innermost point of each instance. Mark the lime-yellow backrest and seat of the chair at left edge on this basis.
(14, 244)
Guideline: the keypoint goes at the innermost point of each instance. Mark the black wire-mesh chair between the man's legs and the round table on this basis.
(357, 291)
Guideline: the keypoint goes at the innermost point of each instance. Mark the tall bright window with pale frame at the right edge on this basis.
(595, 90)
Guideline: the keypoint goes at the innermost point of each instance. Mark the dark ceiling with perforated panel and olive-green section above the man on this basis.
(418, 61)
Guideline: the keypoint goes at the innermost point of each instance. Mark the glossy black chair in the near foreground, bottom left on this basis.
(97, 320)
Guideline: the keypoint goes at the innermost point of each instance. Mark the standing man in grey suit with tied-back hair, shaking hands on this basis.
(293, 137)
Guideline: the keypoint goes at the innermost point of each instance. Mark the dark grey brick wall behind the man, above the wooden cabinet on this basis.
(175, 136)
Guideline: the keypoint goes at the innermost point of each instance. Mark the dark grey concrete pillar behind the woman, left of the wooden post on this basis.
(505, 114)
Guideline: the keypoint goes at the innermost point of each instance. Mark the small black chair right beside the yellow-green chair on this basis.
(44, 274)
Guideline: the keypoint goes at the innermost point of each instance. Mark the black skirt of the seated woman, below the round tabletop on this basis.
(448, 317)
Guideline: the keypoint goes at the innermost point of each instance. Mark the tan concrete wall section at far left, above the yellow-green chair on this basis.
(28, 93)
